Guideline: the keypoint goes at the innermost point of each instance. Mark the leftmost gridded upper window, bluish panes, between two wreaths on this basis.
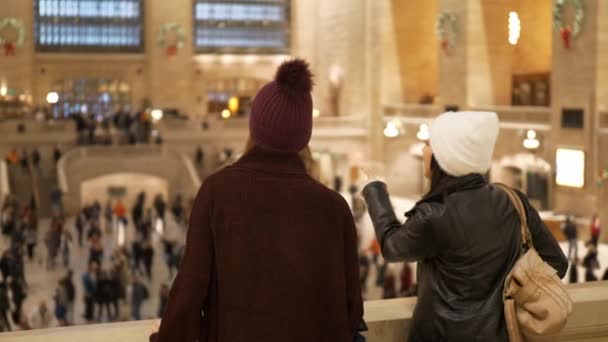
(89, 25)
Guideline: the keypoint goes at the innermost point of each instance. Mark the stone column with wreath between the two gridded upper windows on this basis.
(170, 78)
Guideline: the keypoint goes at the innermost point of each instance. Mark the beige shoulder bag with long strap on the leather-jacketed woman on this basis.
(536, 302)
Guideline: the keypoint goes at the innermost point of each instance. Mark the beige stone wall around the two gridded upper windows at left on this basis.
(327, 33)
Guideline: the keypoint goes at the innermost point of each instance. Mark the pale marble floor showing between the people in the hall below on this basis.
(42, 282)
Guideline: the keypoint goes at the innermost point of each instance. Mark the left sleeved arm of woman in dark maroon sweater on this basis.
(182, 317)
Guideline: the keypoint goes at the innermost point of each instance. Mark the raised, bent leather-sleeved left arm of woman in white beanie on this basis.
(411, 241)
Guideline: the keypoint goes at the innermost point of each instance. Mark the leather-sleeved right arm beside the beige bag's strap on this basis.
(544, 242)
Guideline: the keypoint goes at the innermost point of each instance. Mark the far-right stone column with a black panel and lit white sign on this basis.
(575, 85)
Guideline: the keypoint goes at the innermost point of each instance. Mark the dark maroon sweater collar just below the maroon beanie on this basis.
(259, 158)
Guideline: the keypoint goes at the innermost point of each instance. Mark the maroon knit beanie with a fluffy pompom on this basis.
(281, 113)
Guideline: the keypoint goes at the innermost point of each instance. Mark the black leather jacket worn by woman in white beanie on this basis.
(465, 239)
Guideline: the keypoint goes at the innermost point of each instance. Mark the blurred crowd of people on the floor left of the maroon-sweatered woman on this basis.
(119, 271)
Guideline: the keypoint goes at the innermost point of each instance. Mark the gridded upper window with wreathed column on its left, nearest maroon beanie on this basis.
(242, 26)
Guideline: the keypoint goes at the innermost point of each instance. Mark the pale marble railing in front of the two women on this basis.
(388, 321)
